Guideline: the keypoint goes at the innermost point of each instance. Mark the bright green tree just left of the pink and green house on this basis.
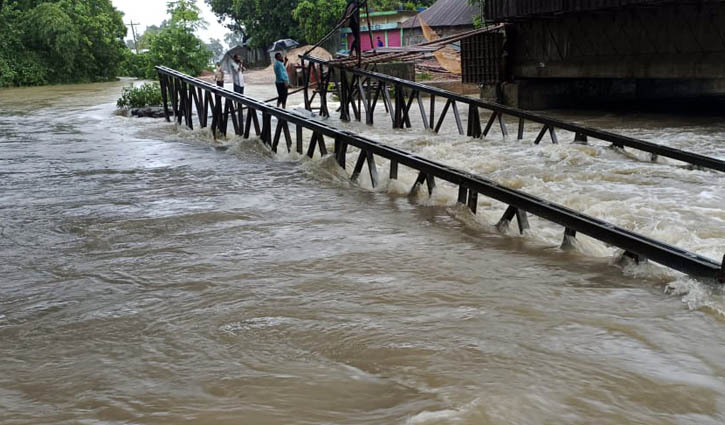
(317, 17)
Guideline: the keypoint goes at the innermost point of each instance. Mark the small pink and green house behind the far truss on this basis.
(386, 26)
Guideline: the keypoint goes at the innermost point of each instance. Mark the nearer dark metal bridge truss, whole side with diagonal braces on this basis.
(181, 92)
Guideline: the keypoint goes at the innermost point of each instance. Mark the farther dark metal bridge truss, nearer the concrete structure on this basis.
(356, 82)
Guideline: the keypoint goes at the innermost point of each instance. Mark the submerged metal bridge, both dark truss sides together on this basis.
(185, 97)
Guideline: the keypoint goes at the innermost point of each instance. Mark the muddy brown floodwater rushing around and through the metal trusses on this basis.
(147, 277)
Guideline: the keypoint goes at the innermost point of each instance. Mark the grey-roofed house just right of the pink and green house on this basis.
(445, 17)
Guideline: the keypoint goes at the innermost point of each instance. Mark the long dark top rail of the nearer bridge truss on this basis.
(656, 251)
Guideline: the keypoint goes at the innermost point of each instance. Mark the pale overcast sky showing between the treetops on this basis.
(152, 12)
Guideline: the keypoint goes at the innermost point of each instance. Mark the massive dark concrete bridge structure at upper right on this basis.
(566, 53)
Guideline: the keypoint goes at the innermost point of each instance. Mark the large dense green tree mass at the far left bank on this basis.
(59, 41)
